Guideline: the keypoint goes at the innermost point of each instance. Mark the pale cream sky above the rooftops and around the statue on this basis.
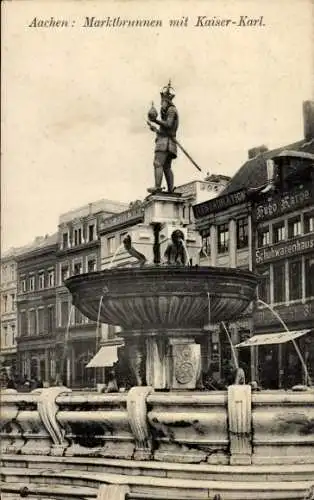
(75, 99)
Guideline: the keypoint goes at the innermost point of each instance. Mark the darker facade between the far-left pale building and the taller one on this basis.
(36, 301)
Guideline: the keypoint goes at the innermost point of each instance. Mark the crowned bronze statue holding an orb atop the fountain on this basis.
(165, 144)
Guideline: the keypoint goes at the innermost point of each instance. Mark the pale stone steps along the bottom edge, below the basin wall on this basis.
(151, 487)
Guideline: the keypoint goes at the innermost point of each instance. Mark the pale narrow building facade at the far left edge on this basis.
(8, 311)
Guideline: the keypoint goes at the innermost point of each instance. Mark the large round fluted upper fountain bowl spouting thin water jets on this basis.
(163, 297)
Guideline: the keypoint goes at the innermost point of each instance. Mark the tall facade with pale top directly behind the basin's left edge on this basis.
(78, 252)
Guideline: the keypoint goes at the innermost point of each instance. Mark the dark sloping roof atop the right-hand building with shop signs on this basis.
(253, 173)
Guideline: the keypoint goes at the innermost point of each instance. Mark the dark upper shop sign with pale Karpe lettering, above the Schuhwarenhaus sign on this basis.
(279, 204)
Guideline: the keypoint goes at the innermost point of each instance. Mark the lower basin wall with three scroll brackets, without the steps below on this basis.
(234, 427)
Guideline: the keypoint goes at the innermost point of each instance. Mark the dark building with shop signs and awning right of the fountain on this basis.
(263, 221)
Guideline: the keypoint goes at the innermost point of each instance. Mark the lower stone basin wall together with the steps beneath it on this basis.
(176, 439)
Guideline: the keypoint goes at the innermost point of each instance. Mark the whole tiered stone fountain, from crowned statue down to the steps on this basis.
(167, 437)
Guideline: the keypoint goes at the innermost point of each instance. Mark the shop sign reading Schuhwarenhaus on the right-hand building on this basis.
(285, 249)
